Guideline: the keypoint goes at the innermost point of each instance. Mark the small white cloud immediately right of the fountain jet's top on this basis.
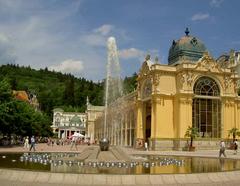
(131, 53)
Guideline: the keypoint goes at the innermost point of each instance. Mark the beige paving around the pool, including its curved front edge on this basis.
(29, 178)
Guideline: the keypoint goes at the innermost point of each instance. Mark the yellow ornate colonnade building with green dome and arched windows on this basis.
(193, 89)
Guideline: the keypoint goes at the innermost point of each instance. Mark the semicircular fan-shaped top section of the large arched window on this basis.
(206, 86)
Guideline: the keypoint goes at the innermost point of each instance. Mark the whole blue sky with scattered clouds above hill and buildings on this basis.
(71, 35)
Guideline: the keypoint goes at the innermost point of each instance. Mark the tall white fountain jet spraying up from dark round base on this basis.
(113, 85)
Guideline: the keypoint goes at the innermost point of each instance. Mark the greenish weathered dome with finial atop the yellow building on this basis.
(186, 48)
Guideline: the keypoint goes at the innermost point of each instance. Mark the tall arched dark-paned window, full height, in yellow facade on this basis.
(206, 108)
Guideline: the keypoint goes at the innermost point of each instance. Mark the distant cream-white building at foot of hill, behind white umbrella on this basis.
(66, 123)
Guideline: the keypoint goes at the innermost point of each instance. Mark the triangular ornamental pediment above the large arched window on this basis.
(207, 63)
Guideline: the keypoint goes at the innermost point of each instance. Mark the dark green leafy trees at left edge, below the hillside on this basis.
(20, 118)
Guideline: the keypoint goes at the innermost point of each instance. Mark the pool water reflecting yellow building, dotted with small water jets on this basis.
(71, 163)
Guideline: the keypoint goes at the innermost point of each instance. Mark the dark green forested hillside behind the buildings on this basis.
(54, 89)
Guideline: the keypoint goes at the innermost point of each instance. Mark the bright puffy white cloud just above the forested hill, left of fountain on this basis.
(68, 66)
